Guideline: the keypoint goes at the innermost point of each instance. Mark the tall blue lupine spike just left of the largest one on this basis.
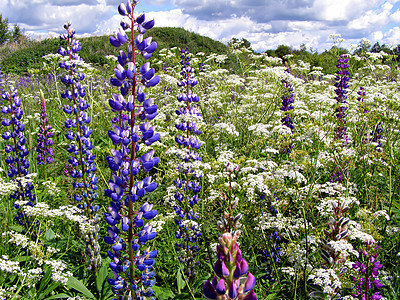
(80, 148)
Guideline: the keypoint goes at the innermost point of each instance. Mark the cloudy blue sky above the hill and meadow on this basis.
(265, 23)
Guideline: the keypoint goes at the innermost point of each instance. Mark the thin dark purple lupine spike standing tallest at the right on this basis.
(342, 79)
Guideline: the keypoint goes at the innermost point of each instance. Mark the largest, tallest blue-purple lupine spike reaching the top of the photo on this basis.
(131, 260)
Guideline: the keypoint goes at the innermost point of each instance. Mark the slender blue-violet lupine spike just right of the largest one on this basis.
(187, 184)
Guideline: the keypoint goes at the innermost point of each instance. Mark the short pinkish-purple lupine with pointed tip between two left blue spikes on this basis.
(44, 150)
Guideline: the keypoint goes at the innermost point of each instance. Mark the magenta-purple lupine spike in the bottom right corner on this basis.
(367, 281)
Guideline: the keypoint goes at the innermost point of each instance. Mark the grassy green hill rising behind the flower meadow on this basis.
(94, 49)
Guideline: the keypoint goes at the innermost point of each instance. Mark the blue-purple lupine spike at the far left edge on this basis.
(17, 153)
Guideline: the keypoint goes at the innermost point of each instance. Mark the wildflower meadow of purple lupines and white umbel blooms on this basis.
(179, 177)
